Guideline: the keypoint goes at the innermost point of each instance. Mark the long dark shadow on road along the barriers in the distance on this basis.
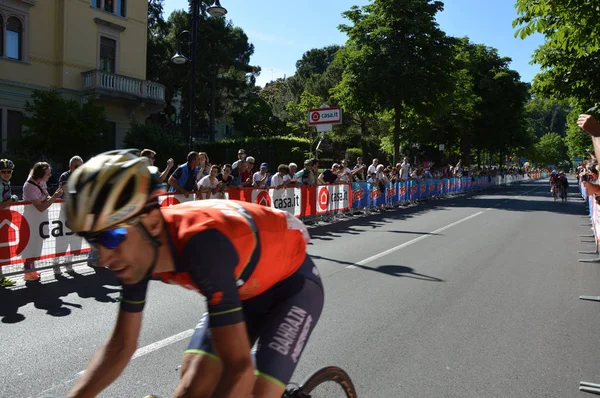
(531, 200)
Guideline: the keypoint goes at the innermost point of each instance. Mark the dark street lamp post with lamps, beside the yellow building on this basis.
(215, 10)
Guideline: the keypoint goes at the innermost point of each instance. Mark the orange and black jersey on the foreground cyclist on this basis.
(229, 251)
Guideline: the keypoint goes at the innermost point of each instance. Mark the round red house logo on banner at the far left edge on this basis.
(14, 234)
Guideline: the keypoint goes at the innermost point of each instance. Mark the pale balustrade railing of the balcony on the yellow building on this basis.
(97, 79)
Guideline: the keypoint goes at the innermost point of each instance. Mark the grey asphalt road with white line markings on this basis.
(473, 296)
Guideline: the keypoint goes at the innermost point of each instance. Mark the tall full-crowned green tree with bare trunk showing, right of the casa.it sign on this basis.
(398, 59)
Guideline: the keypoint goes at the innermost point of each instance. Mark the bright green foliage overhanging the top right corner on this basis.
(570, 56)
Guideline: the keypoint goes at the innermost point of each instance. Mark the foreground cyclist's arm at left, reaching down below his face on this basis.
(112, 358)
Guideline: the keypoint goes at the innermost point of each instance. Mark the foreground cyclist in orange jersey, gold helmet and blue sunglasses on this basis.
(248, 260)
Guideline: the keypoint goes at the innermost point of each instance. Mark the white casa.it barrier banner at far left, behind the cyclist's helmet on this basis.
(29, 235)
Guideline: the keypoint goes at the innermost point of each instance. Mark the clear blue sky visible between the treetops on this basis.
(282, 30)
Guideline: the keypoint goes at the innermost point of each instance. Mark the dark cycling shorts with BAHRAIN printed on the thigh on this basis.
(280, 321)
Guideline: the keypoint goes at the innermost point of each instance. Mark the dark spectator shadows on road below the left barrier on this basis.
(47, 296)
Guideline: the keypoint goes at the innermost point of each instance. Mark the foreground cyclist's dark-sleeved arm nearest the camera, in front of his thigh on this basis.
(214, 273)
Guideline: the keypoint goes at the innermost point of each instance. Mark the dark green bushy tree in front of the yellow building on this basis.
(59, 128)
